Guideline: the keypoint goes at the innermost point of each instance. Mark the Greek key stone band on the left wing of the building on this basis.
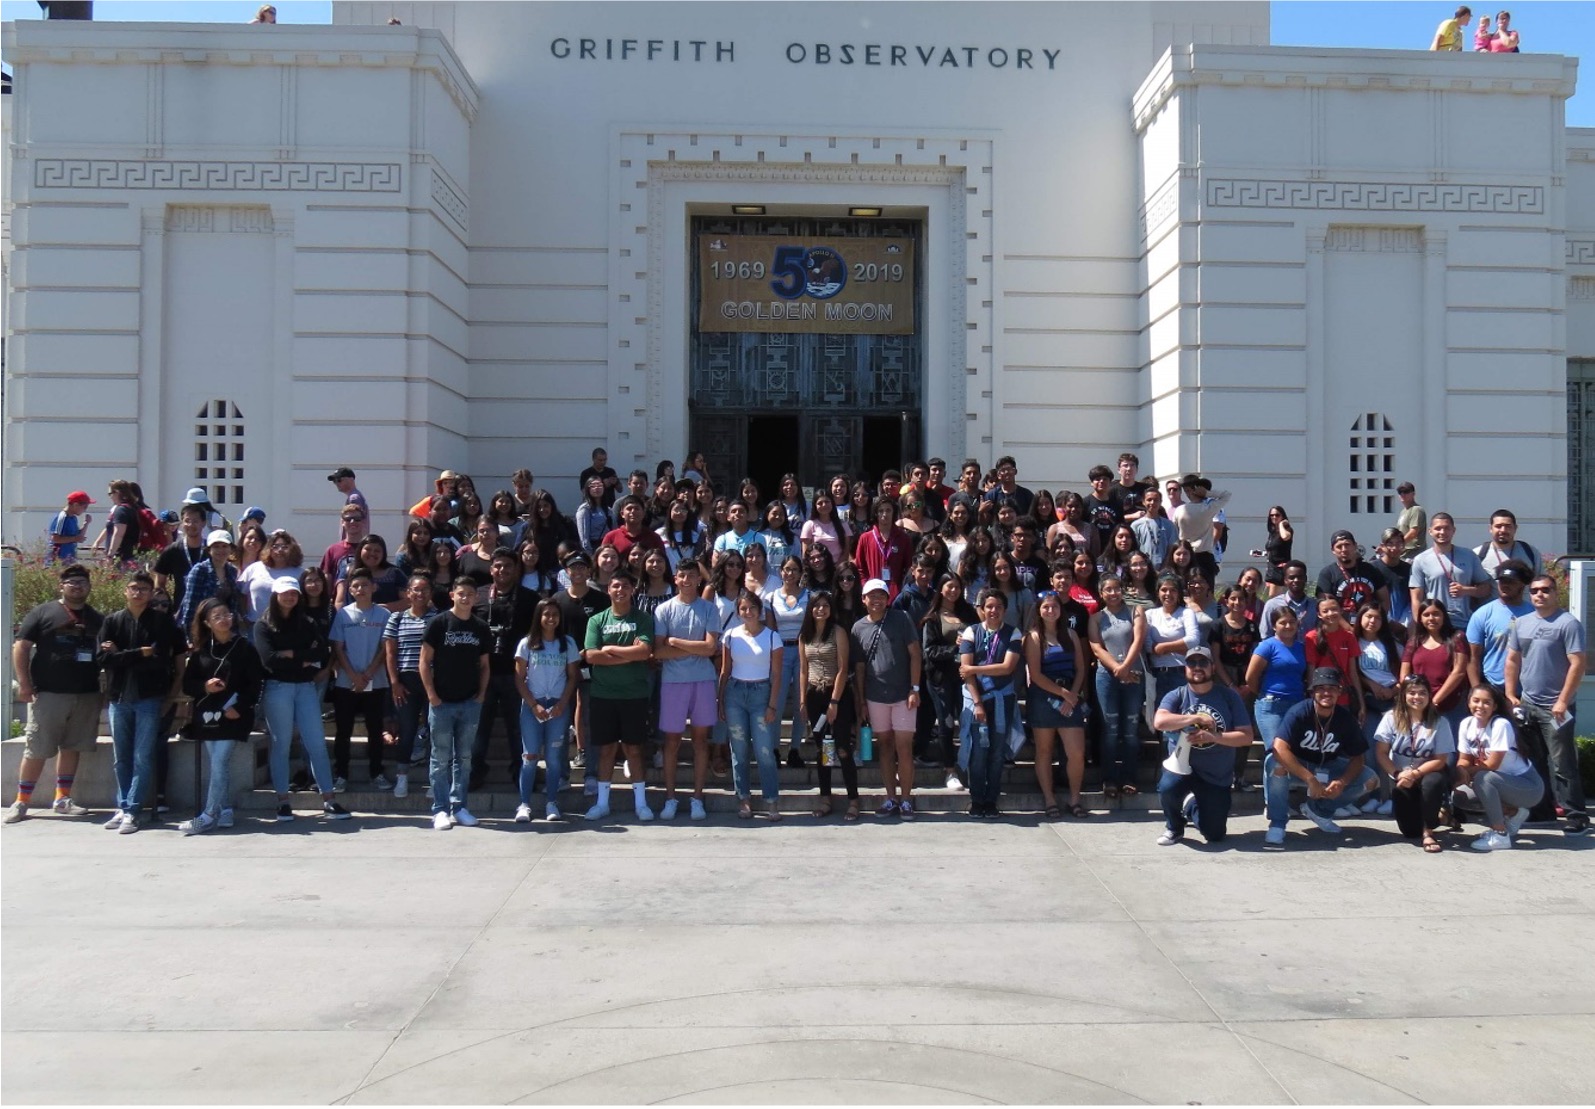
(219, 176)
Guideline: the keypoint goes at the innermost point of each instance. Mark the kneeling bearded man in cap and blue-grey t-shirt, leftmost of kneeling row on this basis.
(1211, 722)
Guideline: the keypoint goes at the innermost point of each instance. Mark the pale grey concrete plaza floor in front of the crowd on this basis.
(945, 961)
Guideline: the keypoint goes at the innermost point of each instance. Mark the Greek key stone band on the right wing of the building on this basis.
(1376, 197)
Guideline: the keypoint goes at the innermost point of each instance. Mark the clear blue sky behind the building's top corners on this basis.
(1556, 26)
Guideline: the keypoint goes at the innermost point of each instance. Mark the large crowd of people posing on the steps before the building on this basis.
(937, 628)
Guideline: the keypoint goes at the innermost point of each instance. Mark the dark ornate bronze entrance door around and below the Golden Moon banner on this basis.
(811, 403)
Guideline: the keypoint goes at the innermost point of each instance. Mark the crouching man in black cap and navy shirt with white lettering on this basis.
(1320, 744)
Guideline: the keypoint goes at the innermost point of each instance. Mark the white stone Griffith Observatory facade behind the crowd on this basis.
(470, 242)
